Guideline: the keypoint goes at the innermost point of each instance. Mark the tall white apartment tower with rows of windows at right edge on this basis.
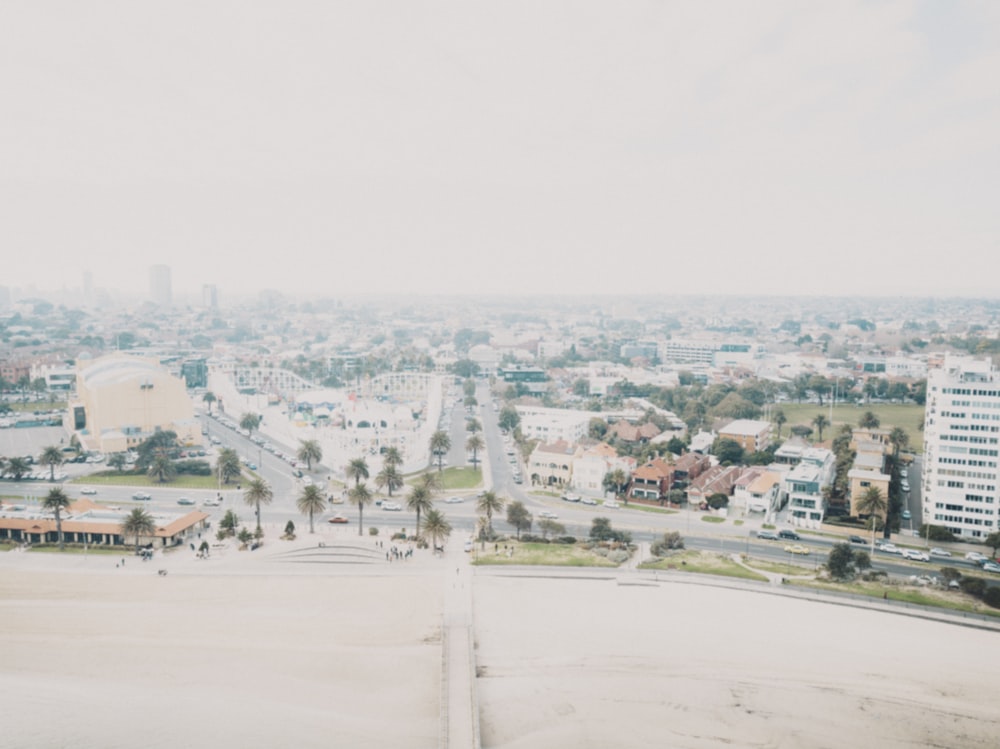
(961, 432)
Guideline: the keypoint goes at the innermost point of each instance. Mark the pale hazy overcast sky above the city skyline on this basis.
(578, 146)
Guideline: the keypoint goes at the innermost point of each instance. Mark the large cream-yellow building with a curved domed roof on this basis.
(121, 400)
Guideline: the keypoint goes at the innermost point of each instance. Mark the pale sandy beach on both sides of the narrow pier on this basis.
(268, 650)
